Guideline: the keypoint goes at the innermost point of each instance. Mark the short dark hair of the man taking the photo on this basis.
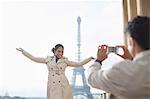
(139, 29)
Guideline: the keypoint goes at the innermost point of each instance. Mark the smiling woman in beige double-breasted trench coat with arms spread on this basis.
(58, 86)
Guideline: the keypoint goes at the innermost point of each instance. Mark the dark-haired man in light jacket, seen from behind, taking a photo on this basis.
(130, 78)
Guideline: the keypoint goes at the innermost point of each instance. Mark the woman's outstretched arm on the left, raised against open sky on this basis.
(28, 55)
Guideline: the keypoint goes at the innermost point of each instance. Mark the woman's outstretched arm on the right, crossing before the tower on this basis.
(77, 64)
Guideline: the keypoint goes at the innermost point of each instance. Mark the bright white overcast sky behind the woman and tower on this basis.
(37, 26)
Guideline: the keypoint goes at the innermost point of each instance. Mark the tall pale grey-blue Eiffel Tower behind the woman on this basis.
(80, 91)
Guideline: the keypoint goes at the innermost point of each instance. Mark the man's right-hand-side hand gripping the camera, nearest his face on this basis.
(126, 54)
